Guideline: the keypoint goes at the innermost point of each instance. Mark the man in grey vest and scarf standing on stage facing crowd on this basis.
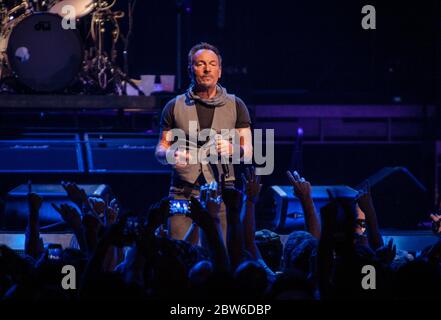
(206, 105)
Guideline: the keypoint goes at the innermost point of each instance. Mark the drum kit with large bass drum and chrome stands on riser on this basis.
(39, 54)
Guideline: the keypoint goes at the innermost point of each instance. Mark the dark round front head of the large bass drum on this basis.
(43, 55)
